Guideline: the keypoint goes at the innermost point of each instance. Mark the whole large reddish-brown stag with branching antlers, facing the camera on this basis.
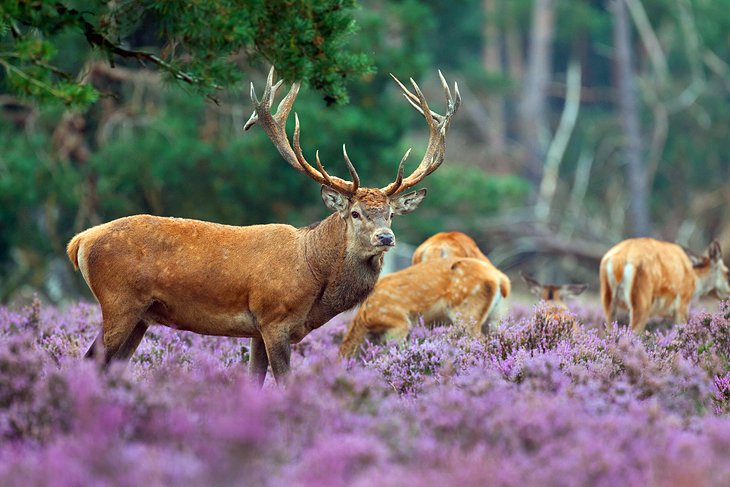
(273, 283)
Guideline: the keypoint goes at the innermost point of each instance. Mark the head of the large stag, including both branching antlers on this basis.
(367, 212)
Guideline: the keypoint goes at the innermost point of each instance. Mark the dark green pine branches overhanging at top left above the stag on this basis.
(196, 42)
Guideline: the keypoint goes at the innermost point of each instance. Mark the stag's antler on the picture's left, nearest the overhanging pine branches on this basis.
(275, 127)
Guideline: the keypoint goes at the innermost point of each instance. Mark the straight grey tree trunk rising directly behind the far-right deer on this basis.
(629, 114)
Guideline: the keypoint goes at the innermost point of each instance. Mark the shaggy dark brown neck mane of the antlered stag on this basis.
(345, 276)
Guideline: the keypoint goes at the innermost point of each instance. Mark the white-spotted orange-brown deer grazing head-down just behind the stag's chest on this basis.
(463, 290)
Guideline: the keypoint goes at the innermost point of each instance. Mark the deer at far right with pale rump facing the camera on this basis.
(649, 277)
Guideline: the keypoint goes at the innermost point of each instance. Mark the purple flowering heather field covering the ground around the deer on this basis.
(535, 403)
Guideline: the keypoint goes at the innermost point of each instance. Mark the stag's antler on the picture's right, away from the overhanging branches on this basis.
(438, 125)
